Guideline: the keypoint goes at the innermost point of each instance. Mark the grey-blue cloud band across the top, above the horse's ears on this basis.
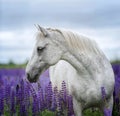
(82, 13)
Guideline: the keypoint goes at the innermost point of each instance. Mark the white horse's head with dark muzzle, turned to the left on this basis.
(47, 52)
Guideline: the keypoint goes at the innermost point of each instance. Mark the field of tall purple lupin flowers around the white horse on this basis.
(20, 98)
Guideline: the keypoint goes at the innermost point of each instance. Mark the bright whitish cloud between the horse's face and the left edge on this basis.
(16, 45)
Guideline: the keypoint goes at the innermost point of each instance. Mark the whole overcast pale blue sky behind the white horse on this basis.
(97, 19)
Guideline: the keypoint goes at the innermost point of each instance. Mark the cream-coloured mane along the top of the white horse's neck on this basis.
(79, 42)
